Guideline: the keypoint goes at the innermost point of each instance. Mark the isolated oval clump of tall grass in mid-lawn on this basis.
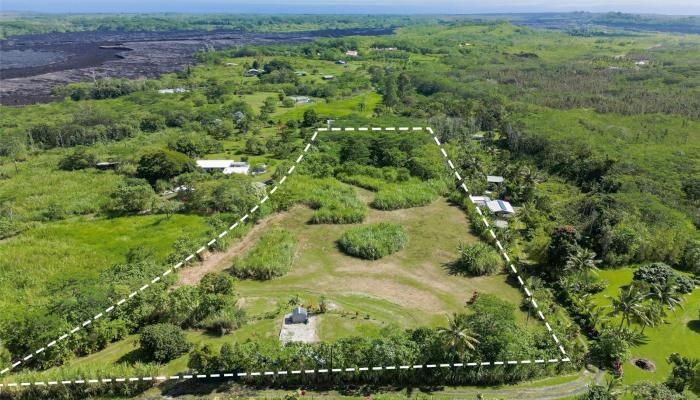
(374, 241)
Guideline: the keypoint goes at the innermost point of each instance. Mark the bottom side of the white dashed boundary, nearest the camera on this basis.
(227, 375)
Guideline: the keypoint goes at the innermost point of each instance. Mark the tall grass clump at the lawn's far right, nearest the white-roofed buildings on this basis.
(398, 196)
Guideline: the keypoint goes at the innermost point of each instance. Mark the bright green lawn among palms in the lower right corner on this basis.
(680, 333)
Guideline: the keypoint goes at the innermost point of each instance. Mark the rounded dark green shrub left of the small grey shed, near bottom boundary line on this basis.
(163, 342)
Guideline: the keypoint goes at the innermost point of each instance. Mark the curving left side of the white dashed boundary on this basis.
(157, 278)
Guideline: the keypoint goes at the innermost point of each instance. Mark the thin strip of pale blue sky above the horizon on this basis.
(680, 7)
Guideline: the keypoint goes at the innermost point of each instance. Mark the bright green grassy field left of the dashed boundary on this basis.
(81, 248)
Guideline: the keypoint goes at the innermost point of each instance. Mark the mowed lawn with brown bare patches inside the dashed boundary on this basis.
(410, 288)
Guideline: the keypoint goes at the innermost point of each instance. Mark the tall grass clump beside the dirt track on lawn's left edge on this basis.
(271, 257)
